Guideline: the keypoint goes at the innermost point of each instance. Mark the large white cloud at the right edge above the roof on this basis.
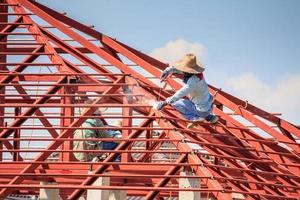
(281, 97)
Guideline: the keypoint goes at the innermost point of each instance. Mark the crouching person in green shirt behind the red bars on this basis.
(93, 134)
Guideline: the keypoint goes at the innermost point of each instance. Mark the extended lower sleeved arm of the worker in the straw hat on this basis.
(184, 91)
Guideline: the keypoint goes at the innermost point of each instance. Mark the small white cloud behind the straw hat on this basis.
(175, 50)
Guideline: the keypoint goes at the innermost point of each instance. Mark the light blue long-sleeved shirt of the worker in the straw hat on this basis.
(195, 89)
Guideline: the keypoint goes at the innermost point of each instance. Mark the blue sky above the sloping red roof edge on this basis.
(245, 43)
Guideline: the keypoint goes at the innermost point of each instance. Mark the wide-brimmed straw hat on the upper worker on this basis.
(189, 64)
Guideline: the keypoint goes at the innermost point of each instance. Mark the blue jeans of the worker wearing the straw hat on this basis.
(189, 111)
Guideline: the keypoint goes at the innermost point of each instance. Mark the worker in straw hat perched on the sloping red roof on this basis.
(198, 106)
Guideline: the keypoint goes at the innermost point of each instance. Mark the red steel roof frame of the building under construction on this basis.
(249, 152)
